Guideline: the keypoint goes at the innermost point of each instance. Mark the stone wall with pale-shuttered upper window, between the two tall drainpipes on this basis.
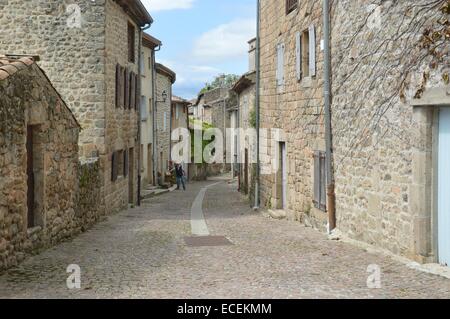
(296, 109)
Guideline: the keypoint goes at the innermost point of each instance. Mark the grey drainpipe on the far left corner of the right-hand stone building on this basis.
(257, 102)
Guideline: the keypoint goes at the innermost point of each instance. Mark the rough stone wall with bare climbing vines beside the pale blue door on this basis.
(379, 66)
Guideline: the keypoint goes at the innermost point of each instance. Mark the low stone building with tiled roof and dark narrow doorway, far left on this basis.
(38, 162)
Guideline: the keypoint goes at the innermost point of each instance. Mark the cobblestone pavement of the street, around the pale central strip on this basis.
(141, 253)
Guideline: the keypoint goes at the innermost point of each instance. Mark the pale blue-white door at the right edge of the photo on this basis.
(444, 187)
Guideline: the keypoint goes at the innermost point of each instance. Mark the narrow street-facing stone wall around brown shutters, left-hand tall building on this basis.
(121, 124)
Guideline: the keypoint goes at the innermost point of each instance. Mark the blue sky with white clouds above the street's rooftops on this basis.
(202, 38)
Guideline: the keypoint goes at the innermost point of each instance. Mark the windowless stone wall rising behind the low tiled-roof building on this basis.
(72, 57)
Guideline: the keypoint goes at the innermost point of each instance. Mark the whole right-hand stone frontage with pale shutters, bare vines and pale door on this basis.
(390, 120)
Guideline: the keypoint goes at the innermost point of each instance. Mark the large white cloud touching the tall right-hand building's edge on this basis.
(225, 42)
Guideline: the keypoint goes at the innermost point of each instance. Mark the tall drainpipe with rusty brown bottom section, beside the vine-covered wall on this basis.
(331, 198)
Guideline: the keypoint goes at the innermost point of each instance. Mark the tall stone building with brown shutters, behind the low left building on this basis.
(90, 51)
